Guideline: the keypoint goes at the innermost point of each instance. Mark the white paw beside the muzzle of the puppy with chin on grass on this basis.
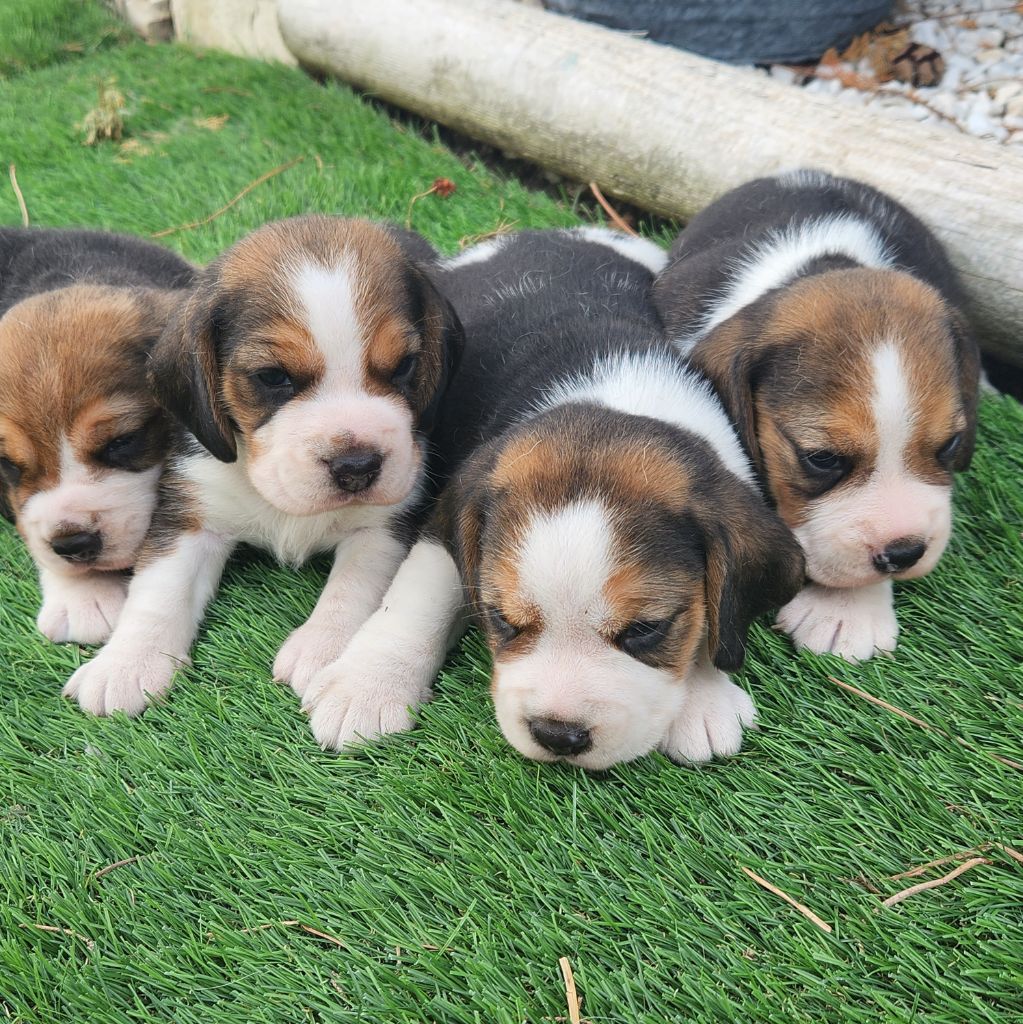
(712, 720)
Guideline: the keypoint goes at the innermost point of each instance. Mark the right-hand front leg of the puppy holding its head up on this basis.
(365, 564)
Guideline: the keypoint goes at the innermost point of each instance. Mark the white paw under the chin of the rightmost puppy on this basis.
(852, 623)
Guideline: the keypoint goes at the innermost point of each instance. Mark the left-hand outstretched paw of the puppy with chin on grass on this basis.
(368, 693)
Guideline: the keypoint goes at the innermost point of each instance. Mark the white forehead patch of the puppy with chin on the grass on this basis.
(565, 562)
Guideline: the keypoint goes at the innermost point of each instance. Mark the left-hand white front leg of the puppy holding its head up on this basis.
(158, 625)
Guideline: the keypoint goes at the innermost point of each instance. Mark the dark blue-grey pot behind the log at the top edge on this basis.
(738, 31)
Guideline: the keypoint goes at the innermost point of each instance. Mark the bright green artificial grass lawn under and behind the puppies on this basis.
(439, 877)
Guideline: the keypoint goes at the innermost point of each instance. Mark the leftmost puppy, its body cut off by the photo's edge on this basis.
(82, 440)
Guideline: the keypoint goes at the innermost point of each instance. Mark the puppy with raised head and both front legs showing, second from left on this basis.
(307, 367)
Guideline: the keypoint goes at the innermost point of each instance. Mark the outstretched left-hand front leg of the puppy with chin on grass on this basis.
(389, 668)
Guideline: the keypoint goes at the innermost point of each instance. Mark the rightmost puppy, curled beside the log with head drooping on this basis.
(830, 322)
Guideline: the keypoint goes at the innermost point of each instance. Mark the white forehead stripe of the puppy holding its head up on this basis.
(328, 297)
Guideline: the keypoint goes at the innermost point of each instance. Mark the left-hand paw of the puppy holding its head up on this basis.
(121, 679)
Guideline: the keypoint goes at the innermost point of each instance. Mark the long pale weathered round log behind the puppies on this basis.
(664, 130)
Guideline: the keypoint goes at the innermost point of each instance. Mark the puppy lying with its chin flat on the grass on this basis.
(602, 518)
